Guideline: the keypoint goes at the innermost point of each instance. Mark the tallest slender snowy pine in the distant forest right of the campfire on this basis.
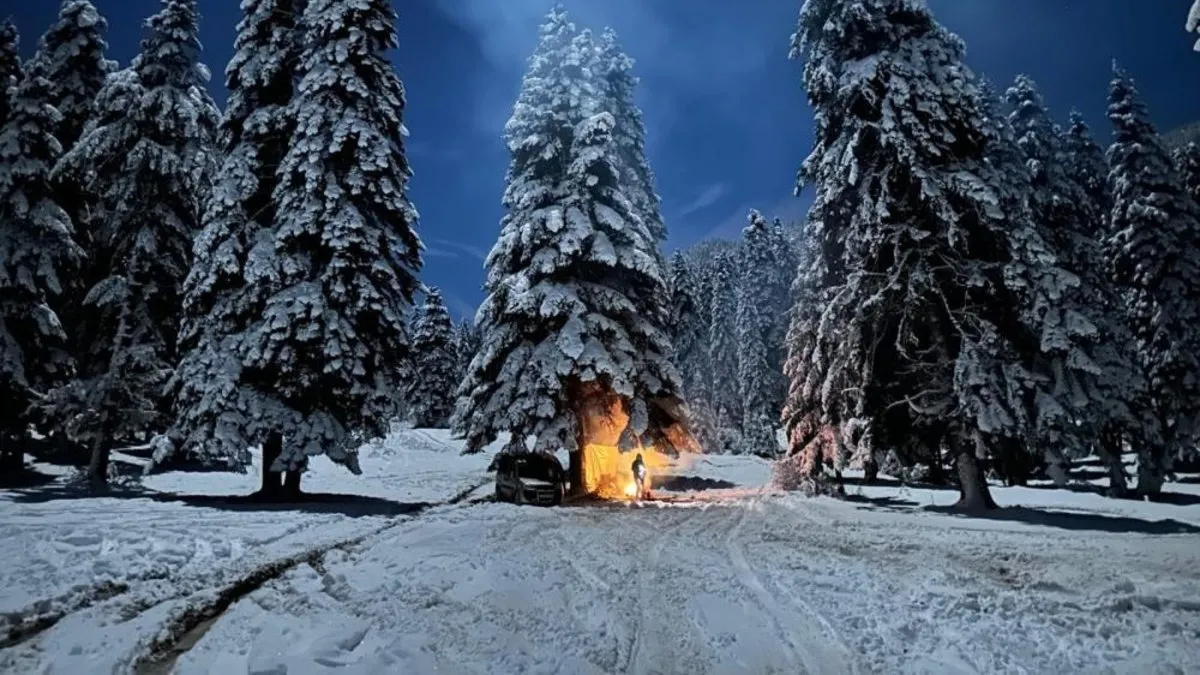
(760, 381)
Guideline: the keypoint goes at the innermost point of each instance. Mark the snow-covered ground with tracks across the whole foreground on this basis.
(739, 580)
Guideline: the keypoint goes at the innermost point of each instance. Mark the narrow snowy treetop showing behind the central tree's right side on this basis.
(629, 135)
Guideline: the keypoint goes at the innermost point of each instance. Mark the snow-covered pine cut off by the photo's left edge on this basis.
(38, 255)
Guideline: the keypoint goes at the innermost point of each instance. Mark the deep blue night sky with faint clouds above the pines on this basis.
(725, 114)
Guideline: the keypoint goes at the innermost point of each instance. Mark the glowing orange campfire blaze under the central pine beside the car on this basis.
(608, 471)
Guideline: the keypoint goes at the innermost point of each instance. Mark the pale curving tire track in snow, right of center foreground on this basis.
(811, 652)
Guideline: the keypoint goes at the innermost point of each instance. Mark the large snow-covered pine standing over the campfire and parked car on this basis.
(574, 321)
